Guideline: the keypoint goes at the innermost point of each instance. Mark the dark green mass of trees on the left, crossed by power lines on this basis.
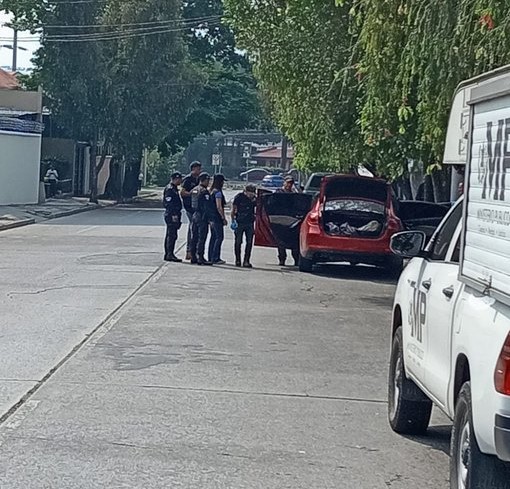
(134, 91)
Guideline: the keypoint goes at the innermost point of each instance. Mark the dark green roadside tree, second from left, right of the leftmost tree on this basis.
(152, 84)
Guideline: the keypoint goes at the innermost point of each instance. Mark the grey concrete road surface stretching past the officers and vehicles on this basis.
(193, 377)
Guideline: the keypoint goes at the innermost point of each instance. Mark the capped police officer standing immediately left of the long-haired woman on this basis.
(202, 210)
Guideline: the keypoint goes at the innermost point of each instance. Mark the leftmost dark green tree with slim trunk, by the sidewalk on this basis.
(73, 78)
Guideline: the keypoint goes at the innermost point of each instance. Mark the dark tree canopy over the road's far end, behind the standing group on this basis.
(229, 99)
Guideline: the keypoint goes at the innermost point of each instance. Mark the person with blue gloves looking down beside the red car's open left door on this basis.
(243, 218)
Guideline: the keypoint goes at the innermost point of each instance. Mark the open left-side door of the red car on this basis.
(279, 218)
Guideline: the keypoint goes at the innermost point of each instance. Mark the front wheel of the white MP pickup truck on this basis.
(409, 409)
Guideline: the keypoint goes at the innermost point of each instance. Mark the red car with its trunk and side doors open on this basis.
(351, 220)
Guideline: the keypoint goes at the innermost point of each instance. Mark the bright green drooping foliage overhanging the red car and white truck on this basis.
(367, 80)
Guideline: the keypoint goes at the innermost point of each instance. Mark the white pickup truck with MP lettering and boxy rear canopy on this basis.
(451, 317)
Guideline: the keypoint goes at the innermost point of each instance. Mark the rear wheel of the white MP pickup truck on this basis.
(469, 467)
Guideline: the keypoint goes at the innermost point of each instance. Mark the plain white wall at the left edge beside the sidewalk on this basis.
(20, 156)
